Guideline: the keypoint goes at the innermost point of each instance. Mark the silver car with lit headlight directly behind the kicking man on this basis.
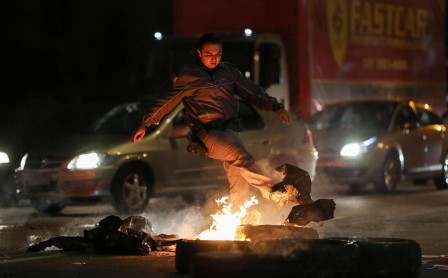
(102, 162)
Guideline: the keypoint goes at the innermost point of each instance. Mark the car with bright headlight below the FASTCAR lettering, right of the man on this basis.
(382, 142)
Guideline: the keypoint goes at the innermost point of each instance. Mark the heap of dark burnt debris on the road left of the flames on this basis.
(112, 235)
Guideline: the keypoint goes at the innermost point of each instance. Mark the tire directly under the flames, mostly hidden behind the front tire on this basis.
(187, 249)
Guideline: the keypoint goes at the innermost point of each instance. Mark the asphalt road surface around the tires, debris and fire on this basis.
(412, 212)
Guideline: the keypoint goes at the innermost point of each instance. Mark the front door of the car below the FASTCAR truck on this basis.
(410, 138)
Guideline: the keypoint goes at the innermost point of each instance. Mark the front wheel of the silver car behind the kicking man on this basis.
(130, 190)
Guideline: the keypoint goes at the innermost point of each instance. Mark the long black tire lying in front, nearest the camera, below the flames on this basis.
(281, 258)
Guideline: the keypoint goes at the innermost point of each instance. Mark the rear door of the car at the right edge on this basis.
(434, 132)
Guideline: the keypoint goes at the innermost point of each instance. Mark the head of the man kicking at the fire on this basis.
(210, 50)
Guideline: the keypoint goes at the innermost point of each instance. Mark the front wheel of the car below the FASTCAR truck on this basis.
(390, 174)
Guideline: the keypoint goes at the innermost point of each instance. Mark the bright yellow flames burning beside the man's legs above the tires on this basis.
(225, 223)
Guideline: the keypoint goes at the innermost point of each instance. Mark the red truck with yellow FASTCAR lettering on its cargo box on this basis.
(309, 53)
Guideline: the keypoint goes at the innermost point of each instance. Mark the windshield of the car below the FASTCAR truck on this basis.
(363, 115)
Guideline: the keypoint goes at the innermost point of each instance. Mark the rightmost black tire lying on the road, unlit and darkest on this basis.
(387, 257)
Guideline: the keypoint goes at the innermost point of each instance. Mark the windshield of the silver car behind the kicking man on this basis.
(121, 120)
